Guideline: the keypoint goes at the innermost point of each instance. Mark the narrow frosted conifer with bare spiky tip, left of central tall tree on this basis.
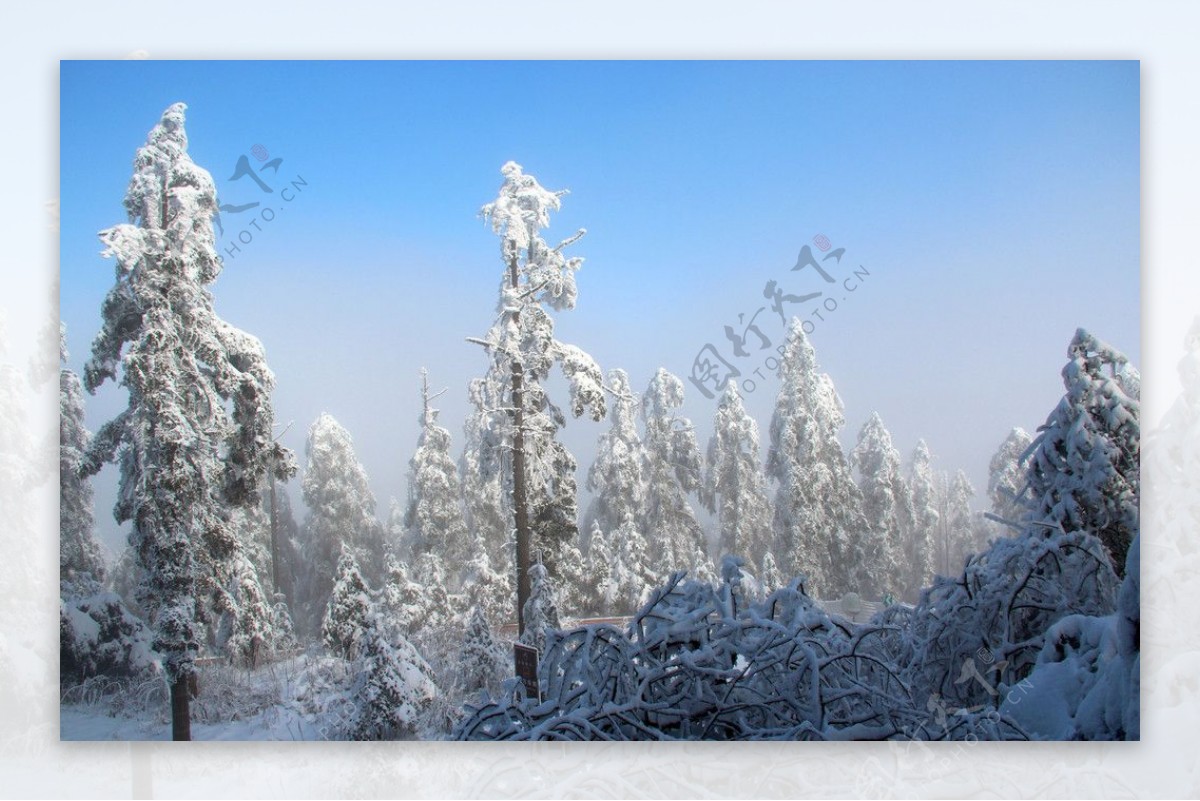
(435, 517)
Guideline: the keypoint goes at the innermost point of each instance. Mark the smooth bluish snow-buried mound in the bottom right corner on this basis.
(1085, 685)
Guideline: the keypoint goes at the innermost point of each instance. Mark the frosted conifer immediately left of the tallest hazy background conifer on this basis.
(735, 486)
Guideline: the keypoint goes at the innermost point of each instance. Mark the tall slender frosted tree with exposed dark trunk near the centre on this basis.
(521, 344)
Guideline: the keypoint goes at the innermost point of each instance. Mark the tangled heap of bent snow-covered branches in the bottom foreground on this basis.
(700, 663)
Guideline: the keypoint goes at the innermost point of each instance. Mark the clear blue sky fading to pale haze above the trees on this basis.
(994, 204)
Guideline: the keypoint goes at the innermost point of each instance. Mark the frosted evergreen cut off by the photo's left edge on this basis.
(80, 557)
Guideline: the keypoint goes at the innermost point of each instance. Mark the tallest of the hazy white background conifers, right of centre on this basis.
(819, 519)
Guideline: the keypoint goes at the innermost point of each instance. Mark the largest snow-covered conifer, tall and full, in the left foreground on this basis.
(185, 457)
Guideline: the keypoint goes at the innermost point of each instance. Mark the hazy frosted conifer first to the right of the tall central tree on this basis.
(617, 477)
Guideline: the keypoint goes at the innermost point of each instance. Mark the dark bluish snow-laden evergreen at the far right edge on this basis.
(1085, 462)
